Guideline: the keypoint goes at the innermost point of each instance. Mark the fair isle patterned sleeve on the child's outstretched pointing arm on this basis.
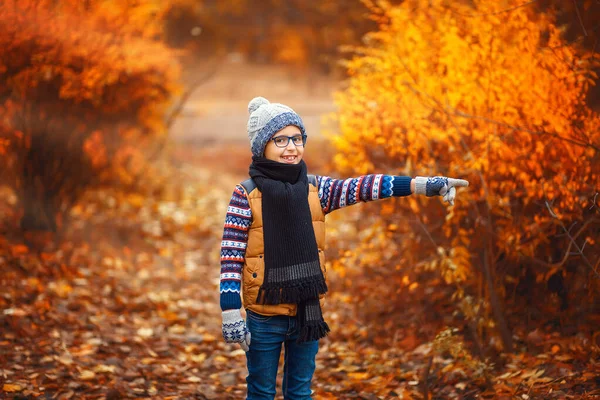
(338, 193)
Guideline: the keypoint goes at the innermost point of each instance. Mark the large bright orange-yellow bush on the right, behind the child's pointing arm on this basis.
(494, 94)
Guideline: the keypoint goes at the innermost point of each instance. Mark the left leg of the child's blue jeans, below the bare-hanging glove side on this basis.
(268, 334)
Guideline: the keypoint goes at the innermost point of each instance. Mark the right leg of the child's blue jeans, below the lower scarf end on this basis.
(299, 368)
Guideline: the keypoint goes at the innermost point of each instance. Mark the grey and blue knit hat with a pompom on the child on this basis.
(266, 119)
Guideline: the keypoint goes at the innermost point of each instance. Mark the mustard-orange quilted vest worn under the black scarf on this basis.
(254, 266)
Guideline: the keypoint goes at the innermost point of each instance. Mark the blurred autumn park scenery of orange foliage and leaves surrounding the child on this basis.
(123, 134)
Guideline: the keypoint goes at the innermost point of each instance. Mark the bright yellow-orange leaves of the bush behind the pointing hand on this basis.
(483, 101)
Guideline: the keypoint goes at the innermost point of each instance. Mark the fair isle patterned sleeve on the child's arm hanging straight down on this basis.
(233, 249)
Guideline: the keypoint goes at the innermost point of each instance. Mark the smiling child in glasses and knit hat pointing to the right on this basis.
(273, 245)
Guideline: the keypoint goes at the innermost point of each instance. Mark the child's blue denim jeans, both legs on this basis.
(268, 334)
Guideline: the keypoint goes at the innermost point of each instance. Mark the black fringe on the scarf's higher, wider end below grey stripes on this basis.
(275, 294)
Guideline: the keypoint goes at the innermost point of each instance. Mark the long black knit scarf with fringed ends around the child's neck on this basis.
(292, 269)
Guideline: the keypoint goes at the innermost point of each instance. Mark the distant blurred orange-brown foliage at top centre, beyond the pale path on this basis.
(296, 33)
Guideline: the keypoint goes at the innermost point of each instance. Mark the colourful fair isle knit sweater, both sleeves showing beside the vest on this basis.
(333, 194)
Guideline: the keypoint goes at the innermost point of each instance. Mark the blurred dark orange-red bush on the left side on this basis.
(86, 85)
